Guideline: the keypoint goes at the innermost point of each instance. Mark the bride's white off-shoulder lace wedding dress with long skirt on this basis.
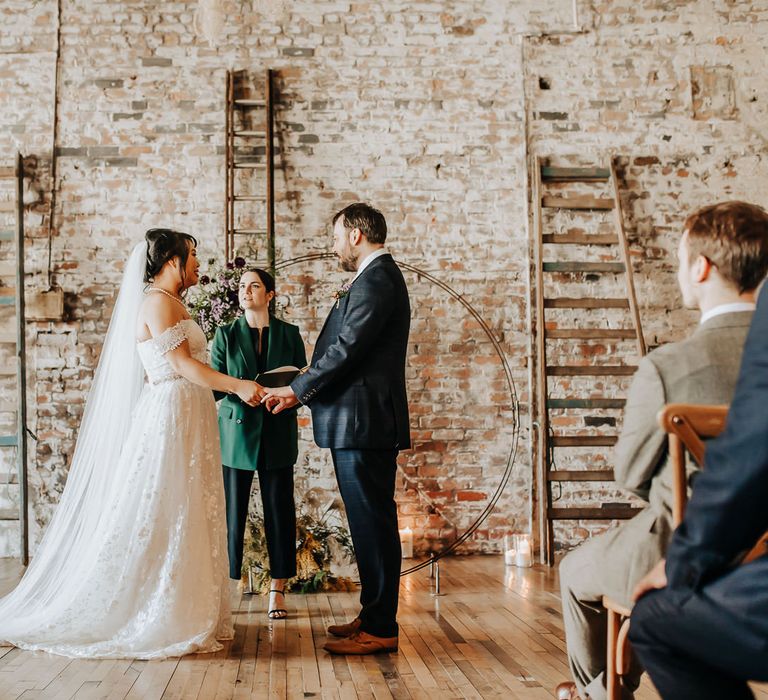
(145, 573)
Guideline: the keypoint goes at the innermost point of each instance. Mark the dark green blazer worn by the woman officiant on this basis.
(246, 430)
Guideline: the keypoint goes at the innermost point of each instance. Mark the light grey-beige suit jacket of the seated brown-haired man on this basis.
(701, 369)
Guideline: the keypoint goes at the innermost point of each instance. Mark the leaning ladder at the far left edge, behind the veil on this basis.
(15, 298)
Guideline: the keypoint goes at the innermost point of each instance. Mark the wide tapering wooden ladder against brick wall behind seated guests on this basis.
(554, 377)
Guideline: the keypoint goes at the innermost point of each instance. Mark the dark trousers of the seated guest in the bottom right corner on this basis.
(694, 646)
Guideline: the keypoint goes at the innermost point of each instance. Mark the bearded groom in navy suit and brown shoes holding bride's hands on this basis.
(355, 388)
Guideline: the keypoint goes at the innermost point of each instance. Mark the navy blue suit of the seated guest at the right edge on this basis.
(706, 633)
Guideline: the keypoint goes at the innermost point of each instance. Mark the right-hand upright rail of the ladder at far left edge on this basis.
(21, 366)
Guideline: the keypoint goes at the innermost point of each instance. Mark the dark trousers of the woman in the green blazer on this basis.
(276, 486)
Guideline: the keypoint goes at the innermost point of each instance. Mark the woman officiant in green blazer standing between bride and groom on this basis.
(254, 440)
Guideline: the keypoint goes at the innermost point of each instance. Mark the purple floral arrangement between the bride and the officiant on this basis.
(215, 301)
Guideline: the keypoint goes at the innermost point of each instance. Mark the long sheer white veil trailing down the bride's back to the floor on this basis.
(60, 562)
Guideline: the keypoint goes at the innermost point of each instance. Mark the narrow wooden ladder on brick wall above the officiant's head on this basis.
(250, 152)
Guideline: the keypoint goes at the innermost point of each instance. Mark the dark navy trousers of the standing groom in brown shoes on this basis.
(367, 484)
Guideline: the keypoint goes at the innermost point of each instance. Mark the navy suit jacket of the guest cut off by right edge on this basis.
(727, 511)
